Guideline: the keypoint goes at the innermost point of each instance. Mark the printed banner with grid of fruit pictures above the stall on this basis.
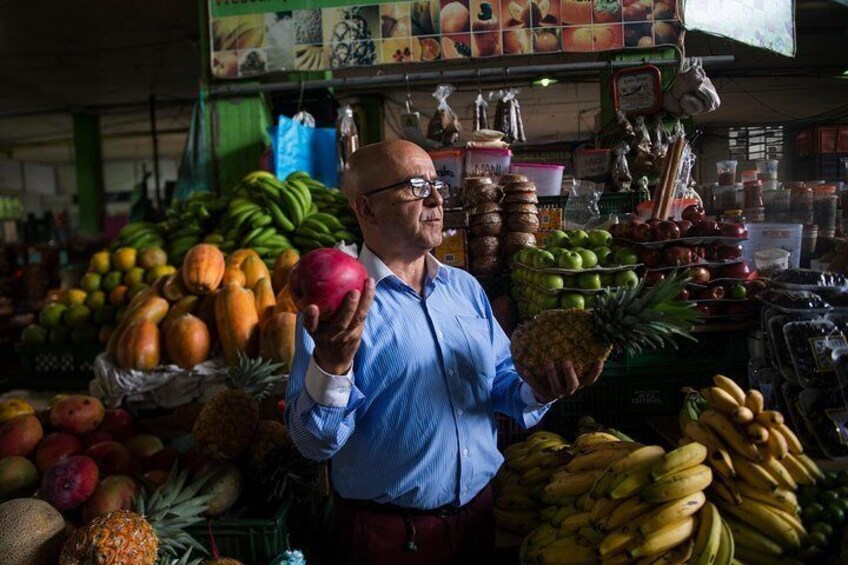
(251, 38)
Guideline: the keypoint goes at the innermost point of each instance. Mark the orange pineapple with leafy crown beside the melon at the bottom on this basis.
(152, 533)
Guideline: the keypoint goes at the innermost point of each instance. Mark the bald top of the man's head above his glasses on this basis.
(381, 164)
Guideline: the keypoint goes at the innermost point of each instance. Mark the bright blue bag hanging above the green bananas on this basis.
(301, 148)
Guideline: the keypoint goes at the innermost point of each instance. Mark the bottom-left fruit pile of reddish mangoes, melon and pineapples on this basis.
(106, 493)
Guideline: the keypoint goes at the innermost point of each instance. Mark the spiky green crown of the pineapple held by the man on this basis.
(632, 320)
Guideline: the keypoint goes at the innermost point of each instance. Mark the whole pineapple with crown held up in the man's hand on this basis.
(626, 320)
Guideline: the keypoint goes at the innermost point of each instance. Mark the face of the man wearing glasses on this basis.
(403, 221)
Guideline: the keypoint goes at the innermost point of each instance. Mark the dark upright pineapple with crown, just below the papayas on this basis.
(226, 425)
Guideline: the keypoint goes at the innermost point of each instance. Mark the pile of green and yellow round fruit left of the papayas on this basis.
(90, 313)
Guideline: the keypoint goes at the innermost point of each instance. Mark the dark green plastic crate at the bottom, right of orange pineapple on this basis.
(252, 540)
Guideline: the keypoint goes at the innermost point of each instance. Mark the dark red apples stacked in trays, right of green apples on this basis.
(710, 251)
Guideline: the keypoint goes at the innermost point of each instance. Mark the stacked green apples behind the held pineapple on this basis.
(570, 270)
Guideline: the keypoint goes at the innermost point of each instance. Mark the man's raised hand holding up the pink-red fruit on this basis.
(337, 339)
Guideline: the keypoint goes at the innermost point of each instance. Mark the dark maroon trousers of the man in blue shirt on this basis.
(379, 534)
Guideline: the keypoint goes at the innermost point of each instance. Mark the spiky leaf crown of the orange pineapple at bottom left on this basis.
(170, 510)
